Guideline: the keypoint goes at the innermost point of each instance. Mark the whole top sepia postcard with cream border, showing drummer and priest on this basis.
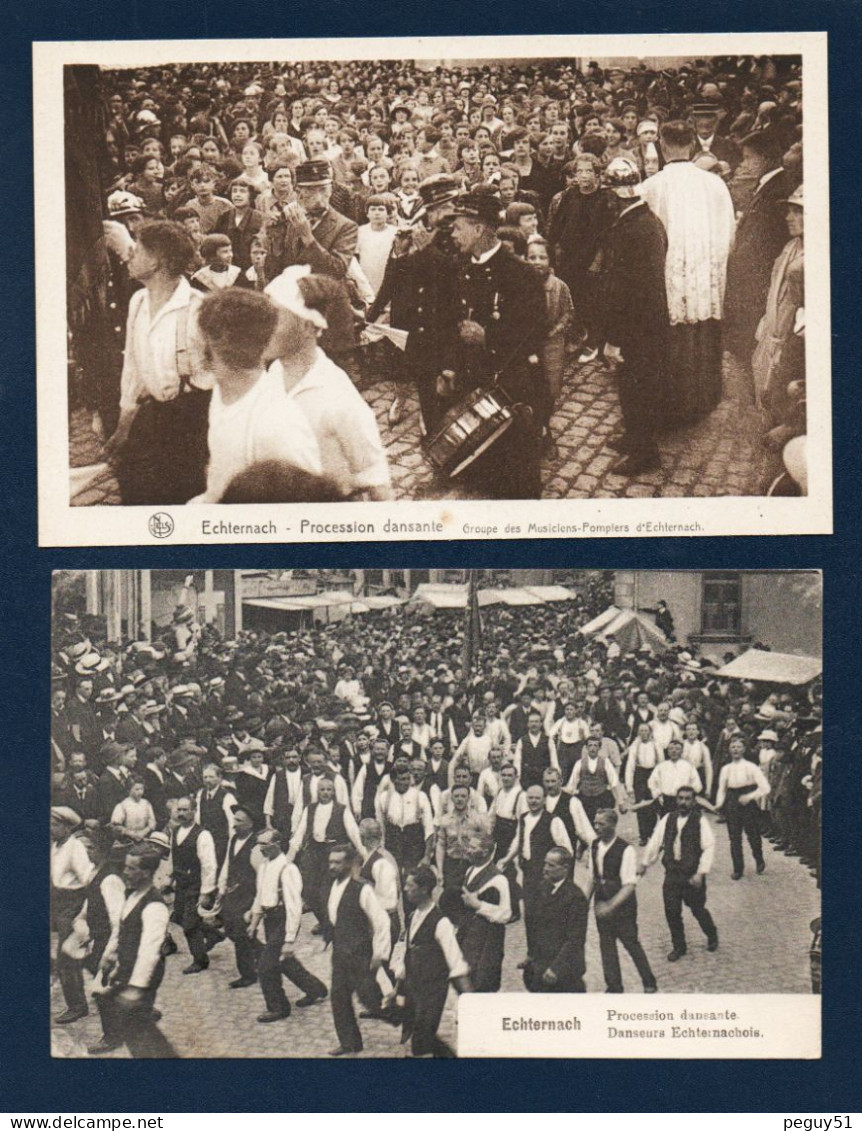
(382, 290)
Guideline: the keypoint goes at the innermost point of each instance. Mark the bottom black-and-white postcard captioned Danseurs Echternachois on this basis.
(301, 814)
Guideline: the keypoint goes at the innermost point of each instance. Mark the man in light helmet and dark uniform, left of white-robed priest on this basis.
(636, 317)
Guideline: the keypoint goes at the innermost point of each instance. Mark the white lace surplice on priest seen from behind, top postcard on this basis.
(697, 213)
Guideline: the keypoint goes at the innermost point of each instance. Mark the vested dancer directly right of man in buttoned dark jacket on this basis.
(614, 877)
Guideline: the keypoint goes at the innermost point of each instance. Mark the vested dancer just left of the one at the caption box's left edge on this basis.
(359, 930)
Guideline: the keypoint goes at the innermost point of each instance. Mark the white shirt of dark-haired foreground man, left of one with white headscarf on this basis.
(262, 425)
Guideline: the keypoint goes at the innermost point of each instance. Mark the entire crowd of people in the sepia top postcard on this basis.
(274, 232)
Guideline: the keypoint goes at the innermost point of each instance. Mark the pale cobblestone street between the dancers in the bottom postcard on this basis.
(763, 923)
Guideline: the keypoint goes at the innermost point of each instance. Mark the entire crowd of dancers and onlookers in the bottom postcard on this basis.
(361, 782)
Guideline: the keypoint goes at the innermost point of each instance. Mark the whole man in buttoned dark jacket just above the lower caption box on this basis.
(559, 913)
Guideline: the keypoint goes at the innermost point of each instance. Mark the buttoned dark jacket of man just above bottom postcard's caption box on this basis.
(558, 931)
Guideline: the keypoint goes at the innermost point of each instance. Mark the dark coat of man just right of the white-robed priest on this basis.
(761, 235)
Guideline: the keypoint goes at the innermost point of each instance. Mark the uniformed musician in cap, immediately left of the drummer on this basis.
(420, 286)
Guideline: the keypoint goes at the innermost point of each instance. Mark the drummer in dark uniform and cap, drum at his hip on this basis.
(498, 343)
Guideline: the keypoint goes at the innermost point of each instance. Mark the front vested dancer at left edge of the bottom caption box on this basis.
(433, 961)
